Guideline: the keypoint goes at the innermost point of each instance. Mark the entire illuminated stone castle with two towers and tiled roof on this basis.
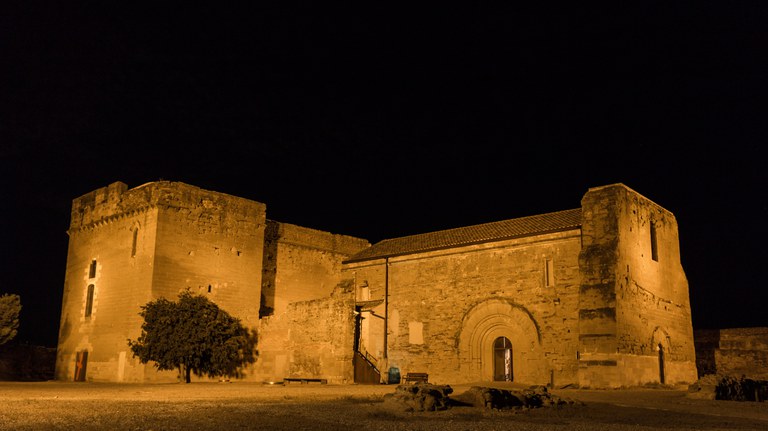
(593, 296)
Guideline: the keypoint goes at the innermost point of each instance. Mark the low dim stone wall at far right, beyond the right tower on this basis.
(734, 352)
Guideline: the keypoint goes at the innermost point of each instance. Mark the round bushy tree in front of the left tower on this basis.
(195, 336)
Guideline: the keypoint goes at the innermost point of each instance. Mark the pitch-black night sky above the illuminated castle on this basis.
(389, 121)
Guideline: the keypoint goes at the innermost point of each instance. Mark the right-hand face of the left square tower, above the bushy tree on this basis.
(212, 244)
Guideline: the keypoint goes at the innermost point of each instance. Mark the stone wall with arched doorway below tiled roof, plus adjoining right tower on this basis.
(617, 314)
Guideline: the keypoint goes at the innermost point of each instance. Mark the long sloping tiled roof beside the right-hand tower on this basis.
(495, 231)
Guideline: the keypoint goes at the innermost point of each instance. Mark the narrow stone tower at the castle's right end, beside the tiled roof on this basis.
(634, 301)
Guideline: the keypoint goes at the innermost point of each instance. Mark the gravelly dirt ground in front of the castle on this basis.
(253, 406)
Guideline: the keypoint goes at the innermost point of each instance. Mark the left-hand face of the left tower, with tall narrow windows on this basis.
(101, 232)
